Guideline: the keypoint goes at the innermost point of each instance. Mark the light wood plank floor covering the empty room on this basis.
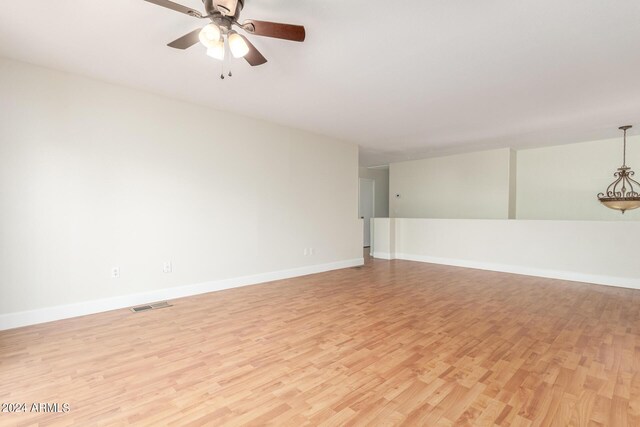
(390, 343)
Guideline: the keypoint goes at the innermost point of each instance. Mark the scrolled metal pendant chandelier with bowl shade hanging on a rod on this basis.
(622, 194)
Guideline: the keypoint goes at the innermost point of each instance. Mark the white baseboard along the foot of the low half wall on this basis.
(622, 282)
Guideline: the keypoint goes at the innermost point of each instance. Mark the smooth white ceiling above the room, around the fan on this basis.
(403, 79)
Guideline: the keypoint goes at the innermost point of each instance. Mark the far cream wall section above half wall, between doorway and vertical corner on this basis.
(471, 185)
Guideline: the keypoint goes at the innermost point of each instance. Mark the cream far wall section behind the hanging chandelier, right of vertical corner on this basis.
(562, 182)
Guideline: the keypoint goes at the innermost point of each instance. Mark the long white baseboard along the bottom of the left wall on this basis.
(32, 317)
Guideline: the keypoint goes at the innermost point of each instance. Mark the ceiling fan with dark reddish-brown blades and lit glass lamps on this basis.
(224, 15)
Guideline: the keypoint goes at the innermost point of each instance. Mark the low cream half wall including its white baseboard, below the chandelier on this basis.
(583, 251)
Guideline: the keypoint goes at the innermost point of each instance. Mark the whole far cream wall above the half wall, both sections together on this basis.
(556, 183)
